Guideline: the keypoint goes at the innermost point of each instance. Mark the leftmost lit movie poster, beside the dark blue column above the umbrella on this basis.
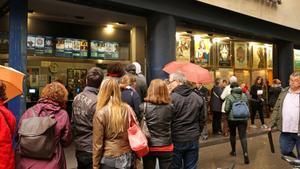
(183, 48)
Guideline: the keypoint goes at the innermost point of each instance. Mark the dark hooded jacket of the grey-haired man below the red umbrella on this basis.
(189, 114)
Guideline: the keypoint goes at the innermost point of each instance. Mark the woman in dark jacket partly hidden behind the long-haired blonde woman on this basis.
(129, 94)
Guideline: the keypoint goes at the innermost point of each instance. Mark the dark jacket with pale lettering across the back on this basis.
(84, 107)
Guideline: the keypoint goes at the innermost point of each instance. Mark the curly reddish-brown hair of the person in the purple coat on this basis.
(56, 92)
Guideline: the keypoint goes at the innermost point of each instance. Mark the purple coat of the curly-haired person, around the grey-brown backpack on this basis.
(62, 134)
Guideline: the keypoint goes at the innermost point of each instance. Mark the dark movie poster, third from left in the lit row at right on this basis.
(224, 54)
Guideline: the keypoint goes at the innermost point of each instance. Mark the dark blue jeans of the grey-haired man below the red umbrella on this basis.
(185, 155)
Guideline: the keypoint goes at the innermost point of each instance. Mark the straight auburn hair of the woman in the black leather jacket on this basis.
(158, 92)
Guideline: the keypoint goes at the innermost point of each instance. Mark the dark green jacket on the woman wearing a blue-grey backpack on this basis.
(236, 94)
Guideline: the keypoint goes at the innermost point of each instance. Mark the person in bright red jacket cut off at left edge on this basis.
(7, 129)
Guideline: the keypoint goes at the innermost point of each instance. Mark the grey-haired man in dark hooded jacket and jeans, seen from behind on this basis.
(188, 122)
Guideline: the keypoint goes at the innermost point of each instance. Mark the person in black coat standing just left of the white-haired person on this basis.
(216, 106)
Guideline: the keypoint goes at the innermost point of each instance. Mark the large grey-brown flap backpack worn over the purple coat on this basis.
(37, 137)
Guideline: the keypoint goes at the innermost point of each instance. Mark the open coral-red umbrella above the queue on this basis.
(193, 72)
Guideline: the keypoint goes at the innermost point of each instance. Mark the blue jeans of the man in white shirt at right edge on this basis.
(287, 143)
